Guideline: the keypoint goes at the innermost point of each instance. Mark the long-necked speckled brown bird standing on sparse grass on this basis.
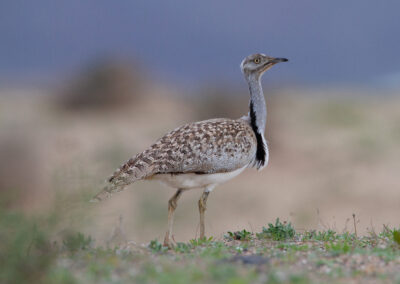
(203, 154)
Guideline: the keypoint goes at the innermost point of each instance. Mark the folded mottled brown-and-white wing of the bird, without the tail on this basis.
(211, 146)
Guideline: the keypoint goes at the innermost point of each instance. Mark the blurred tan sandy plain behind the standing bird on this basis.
(330, 156)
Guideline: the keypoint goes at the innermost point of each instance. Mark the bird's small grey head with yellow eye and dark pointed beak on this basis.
(257, 64)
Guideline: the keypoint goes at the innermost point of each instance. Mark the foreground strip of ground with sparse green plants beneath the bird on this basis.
(277, 254)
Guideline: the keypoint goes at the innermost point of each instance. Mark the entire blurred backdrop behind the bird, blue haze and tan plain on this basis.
(85, 85)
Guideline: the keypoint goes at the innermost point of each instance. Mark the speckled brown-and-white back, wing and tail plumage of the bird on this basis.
(205, 147)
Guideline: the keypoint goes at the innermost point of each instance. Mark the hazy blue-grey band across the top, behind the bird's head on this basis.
(327, 42)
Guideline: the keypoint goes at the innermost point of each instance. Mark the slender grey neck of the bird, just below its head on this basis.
(258, 109)
